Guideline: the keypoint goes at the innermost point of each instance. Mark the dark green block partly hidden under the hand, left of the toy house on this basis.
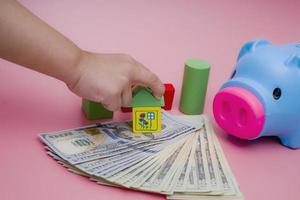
(94, 110)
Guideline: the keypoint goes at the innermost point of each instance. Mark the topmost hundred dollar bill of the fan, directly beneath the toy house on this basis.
(109, 139)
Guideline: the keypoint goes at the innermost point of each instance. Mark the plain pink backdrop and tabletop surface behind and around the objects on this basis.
(162, 35)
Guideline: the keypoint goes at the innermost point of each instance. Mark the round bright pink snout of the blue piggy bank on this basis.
(239, 112)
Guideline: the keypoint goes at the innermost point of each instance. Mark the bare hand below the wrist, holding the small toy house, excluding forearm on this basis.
(107, 78)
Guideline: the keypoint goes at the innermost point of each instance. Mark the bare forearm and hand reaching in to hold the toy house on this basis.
(104, 78)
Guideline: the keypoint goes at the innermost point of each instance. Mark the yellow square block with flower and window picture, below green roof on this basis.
(146, 119)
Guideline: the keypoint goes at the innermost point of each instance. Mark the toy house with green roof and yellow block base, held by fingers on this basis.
(146, 111)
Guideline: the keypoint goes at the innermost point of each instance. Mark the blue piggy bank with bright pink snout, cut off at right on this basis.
(262, 97)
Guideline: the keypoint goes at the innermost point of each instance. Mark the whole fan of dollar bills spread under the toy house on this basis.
(184, 161)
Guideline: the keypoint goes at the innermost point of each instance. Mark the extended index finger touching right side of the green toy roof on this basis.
(143, 76)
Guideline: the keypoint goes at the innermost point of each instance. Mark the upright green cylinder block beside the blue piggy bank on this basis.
(194, 86)
